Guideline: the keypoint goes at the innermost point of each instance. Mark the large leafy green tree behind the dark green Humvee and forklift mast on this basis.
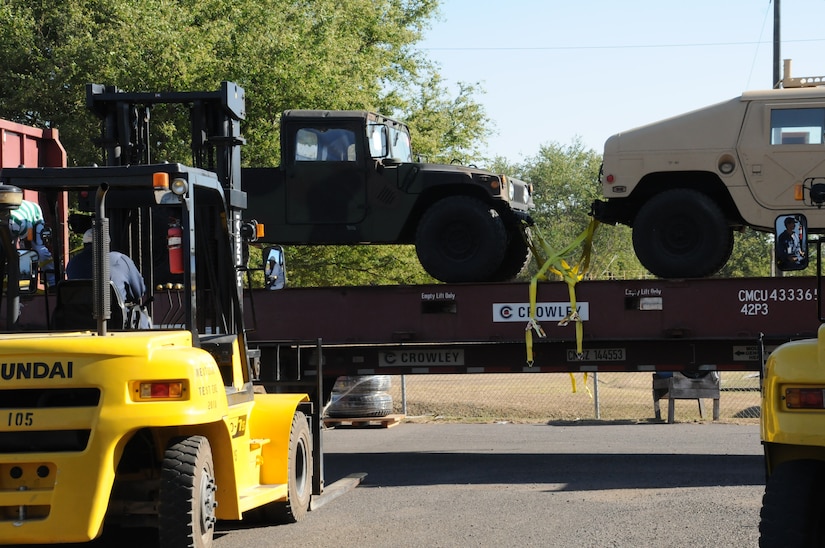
(319, 54)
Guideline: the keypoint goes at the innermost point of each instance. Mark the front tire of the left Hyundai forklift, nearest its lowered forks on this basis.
(299, 481)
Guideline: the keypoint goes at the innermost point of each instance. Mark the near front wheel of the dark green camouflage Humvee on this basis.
(460, 239)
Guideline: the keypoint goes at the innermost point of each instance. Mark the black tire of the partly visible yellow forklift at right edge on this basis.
(793, 509)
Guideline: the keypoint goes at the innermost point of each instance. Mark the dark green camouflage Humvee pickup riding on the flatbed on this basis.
(348, 177)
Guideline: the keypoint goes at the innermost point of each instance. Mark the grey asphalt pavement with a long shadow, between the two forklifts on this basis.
(558, 484)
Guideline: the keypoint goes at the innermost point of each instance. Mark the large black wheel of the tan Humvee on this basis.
(682, 233)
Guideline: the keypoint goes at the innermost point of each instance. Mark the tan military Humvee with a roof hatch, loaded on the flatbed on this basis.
(685, 183)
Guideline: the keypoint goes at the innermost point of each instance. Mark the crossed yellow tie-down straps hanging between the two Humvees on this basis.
(554, 262)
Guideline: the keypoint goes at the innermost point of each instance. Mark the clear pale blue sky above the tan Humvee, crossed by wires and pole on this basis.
(556, 70)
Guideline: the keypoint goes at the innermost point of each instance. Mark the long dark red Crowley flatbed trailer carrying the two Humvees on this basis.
(629, 326)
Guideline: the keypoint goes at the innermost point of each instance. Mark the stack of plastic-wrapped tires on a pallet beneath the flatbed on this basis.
(361, 396)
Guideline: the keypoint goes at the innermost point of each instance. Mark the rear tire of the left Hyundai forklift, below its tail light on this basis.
(186, 506)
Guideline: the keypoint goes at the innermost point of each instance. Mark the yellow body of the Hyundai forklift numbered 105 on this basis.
(64, 481)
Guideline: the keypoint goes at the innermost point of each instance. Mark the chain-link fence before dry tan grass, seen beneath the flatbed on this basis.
(541, 397)
